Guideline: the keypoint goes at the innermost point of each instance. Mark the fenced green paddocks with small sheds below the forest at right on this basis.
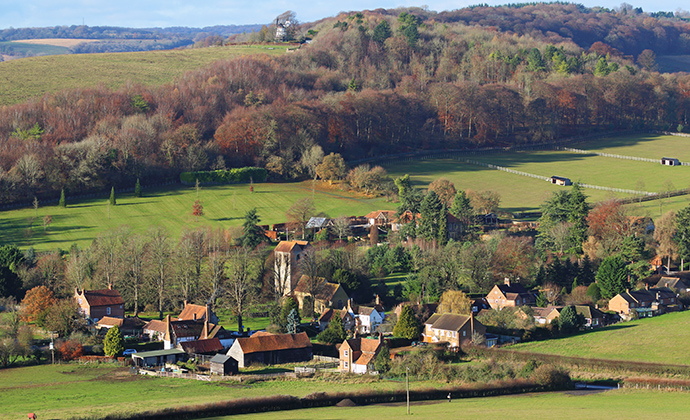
(520, 193)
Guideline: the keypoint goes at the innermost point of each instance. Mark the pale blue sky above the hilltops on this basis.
(201, 13)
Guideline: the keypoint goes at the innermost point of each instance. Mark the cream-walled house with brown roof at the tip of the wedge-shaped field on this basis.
(452, 328)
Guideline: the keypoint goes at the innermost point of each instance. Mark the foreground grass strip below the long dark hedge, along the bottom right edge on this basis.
(617, 404)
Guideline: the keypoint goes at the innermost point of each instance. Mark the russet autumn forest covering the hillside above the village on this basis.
(368, 83)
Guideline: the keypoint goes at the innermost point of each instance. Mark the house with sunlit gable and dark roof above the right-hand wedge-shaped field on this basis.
(647, 302)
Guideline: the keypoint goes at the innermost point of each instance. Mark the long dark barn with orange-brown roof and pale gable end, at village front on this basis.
(270, 349)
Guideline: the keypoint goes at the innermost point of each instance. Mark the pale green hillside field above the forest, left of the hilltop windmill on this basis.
(33, 77)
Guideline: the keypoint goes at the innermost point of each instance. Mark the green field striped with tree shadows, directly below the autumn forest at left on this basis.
(224, 206)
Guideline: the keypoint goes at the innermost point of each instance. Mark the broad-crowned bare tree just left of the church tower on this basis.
(243, 270)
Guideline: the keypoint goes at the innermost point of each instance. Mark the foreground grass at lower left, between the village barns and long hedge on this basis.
(86, 391)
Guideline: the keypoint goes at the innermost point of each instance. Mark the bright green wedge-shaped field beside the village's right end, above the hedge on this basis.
(662, 339)
